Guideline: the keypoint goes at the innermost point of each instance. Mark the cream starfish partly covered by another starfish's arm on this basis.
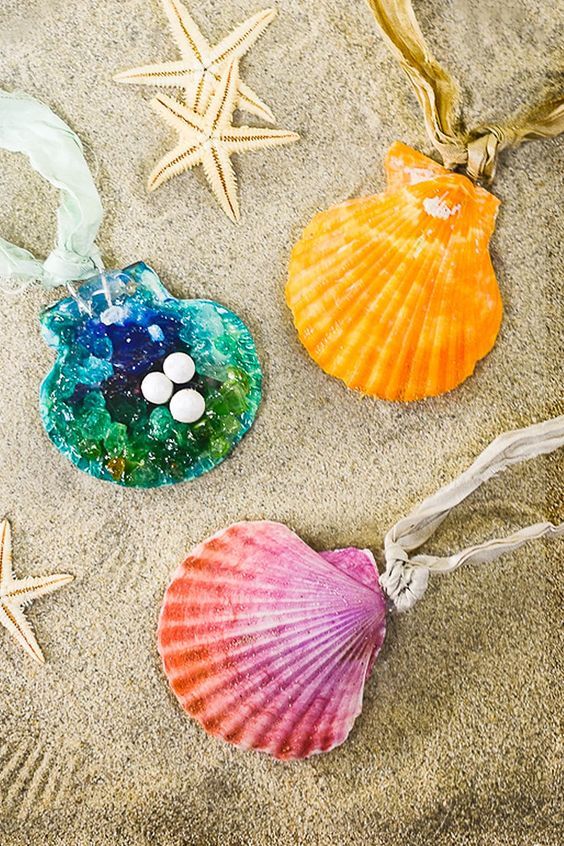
(200, 68)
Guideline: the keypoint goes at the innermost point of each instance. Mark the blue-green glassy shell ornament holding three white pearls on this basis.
(120, 328)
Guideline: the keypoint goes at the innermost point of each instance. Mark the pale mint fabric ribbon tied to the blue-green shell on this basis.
(54, 150)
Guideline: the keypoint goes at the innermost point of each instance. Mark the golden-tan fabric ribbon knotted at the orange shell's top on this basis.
(438, 96)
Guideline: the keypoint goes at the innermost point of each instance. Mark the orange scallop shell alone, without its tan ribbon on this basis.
(395, 294)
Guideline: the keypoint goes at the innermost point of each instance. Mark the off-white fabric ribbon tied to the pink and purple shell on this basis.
(405, 578)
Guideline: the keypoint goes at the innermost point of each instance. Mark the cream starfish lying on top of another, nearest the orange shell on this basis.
(210, 139)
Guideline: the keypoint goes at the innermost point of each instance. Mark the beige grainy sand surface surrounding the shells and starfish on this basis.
(458, 740)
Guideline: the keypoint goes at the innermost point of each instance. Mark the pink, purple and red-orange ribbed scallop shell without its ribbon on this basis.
(267, 643)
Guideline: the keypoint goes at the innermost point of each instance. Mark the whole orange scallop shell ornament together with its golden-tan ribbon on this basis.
(395, 294)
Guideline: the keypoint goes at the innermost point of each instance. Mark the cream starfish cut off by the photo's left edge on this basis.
(16, 594)
